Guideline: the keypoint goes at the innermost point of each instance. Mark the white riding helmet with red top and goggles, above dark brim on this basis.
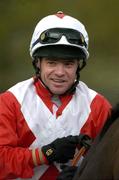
(59, 29)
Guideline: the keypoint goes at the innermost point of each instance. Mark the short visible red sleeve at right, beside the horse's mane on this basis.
(100, 110)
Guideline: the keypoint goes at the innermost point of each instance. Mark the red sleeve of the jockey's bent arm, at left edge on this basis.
(15, 161)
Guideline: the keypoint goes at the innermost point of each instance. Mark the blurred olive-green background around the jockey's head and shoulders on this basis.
(18, 19)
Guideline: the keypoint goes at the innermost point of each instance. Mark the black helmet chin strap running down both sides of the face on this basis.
(72, 89)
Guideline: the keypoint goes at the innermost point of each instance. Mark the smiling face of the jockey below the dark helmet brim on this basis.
(58, 74)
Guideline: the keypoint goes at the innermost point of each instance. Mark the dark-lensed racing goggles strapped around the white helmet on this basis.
(54, 35)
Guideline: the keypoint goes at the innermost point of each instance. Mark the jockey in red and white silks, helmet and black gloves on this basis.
(41, 117)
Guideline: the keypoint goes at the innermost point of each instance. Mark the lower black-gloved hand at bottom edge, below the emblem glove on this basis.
(67, 173)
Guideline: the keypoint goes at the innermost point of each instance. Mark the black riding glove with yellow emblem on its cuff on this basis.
(61, 150)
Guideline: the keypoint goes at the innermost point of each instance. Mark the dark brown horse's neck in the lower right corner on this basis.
(102, 159)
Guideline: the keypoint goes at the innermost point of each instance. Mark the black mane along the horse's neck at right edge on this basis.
(113, 116)
